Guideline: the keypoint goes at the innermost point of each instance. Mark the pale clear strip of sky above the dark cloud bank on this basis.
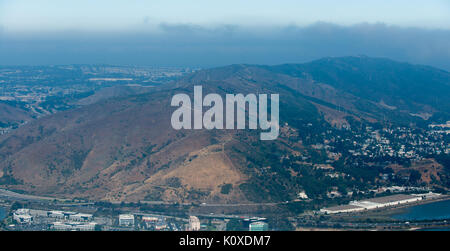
(17, 15)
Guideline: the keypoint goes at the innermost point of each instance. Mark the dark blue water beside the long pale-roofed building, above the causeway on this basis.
(433, 211)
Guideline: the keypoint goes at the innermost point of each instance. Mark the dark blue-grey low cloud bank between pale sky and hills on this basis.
(190, 45)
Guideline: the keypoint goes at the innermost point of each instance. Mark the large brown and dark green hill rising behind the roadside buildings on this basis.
(124, 148)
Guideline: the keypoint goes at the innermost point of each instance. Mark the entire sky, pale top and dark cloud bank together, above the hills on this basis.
(218, 32)
